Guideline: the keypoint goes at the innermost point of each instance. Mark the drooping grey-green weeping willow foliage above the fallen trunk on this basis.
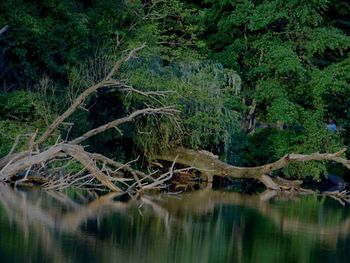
(207, 96)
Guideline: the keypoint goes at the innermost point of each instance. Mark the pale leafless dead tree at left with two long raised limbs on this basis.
(14, 163)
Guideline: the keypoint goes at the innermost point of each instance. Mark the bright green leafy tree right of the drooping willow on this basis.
(292, 58)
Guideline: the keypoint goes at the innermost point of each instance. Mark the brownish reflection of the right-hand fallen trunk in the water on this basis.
(260, 203)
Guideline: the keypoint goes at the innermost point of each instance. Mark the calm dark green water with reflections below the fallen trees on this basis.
(204, 226)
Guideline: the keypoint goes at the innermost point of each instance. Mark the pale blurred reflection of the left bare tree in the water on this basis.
(48, 225)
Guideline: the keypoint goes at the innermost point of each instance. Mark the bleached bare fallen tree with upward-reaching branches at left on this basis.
(36, 159)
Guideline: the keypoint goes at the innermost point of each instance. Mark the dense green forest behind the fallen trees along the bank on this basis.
(246, 81)
